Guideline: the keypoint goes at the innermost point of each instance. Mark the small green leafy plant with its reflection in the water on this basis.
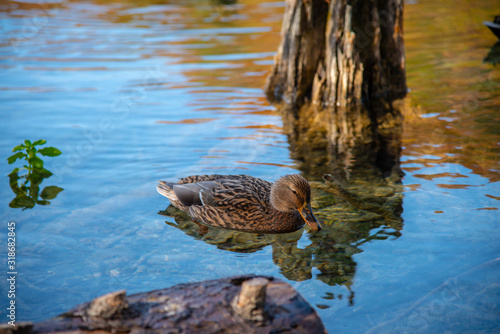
(27, 192)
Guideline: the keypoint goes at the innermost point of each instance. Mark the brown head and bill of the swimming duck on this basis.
(292, 192)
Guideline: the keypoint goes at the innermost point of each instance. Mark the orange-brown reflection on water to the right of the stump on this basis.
(452, 109)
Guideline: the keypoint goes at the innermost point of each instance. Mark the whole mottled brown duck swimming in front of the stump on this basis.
(243, 202)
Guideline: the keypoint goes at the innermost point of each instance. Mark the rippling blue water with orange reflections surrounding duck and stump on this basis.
(133, 92)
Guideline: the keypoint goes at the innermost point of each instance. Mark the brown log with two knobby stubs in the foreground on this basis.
(241, 304)
